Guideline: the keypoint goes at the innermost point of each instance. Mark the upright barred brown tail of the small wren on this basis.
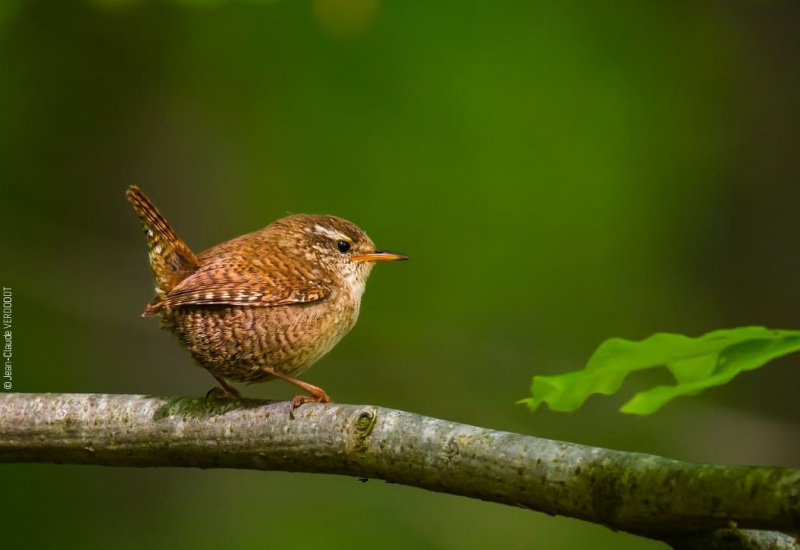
(170, 258)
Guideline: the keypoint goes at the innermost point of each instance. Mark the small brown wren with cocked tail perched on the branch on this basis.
(264, 305)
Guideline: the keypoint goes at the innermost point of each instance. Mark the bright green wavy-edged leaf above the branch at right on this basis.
(696, 364)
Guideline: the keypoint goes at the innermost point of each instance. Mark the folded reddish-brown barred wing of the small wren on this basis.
(264, 285)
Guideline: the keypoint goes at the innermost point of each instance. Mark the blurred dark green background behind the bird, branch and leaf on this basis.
(558, 172)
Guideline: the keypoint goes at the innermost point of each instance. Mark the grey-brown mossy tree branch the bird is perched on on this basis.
(656, 497)
